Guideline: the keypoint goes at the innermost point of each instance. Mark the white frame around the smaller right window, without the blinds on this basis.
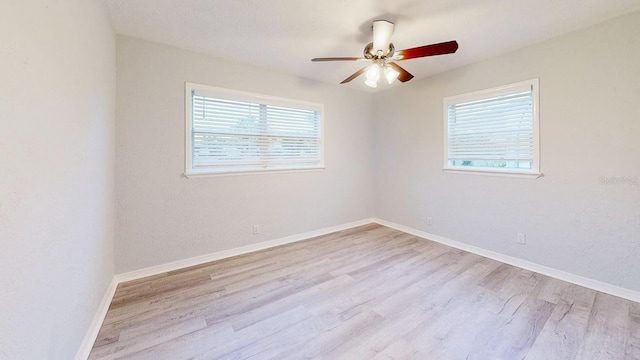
(534, 172)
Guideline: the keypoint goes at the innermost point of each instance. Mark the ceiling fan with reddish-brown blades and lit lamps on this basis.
(382, 54)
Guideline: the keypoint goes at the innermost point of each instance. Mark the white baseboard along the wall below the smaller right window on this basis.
(528, 265)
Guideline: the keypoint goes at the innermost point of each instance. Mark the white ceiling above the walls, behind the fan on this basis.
(286, 34)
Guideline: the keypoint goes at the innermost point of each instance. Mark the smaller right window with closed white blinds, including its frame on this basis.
(493, 131)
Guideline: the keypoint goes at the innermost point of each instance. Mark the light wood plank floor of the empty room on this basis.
(365, 293)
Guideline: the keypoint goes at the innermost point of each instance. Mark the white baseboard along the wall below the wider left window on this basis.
(197, 260)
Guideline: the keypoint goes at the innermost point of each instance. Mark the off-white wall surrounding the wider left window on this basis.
(163, 216)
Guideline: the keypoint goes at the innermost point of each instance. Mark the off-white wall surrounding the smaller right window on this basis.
(590, 126)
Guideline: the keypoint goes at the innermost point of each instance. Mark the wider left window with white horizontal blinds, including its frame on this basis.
(230, 131)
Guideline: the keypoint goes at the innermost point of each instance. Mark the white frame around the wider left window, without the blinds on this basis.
(237, 95)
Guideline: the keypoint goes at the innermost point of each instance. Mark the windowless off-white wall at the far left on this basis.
(57, 118)
